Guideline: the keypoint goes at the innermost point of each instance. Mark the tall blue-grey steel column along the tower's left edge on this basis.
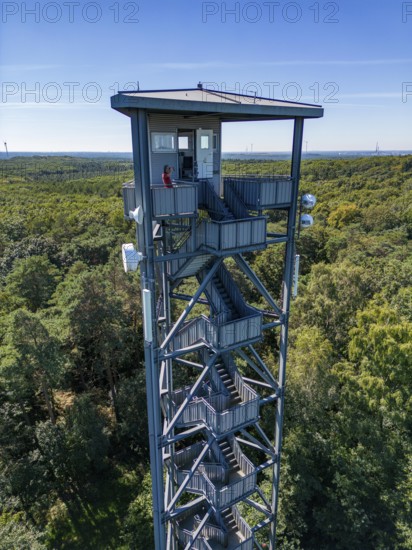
(145, 245)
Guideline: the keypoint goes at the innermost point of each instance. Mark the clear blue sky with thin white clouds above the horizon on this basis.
(61, 61)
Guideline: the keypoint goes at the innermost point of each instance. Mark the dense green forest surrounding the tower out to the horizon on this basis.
(73, 425)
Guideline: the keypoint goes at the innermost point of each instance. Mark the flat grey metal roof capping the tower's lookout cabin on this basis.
(199, 101)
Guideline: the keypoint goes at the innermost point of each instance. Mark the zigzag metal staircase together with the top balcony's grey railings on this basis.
(212, 382)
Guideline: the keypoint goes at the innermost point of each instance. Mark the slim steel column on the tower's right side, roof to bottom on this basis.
(287, 287)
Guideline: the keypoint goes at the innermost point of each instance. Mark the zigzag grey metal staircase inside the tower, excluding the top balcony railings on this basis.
(210, 424)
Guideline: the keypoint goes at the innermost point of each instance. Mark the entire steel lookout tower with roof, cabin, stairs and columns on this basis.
(208, 389)
